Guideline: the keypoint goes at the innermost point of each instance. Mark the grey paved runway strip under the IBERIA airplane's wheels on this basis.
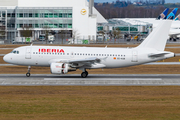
(91, 80)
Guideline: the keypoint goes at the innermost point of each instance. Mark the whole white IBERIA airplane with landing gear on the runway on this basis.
(62, 60)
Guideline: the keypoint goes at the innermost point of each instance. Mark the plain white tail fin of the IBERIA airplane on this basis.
(158, 37)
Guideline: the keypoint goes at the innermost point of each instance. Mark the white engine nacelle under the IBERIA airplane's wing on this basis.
(59, 68)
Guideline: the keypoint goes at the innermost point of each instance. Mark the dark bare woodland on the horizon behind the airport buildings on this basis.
(130, 11)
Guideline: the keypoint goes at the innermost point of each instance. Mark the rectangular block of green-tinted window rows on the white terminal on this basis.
(44, 17)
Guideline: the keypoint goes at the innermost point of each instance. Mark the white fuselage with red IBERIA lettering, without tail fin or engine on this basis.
(110, 57)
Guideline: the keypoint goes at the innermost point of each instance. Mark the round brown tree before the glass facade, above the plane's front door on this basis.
(26, 32)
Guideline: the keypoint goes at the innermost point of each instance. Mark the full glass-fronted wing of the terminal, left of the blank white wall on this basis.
(12, 20)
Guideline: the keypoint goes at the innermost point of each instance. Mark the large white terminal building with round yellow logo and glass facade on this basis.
(57, 15)
